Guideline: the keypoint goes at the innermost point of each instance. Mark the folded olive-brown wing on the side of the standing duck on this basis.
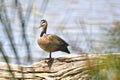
(57, 40)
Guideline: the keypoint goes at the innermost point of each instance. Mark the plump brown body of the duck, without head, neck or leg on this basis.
(52, 43)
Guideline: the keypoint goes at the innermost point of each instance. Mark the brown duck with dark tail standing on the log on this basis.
(51, 42)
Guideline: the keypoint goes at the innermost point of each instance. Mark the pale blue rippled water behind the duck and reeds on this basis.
(64, 18)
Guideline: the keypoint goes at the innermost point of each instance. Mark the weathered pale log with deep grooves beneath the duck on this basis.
(68, 67)
